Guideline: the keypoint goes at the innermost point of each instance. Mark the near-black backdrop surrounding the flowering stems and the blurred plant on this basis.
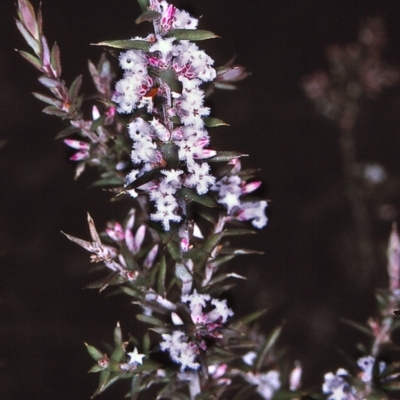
(308, 276)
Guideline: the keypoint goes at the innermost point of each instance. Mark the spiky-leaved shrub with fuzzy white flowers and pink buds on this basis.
(147, 137)
